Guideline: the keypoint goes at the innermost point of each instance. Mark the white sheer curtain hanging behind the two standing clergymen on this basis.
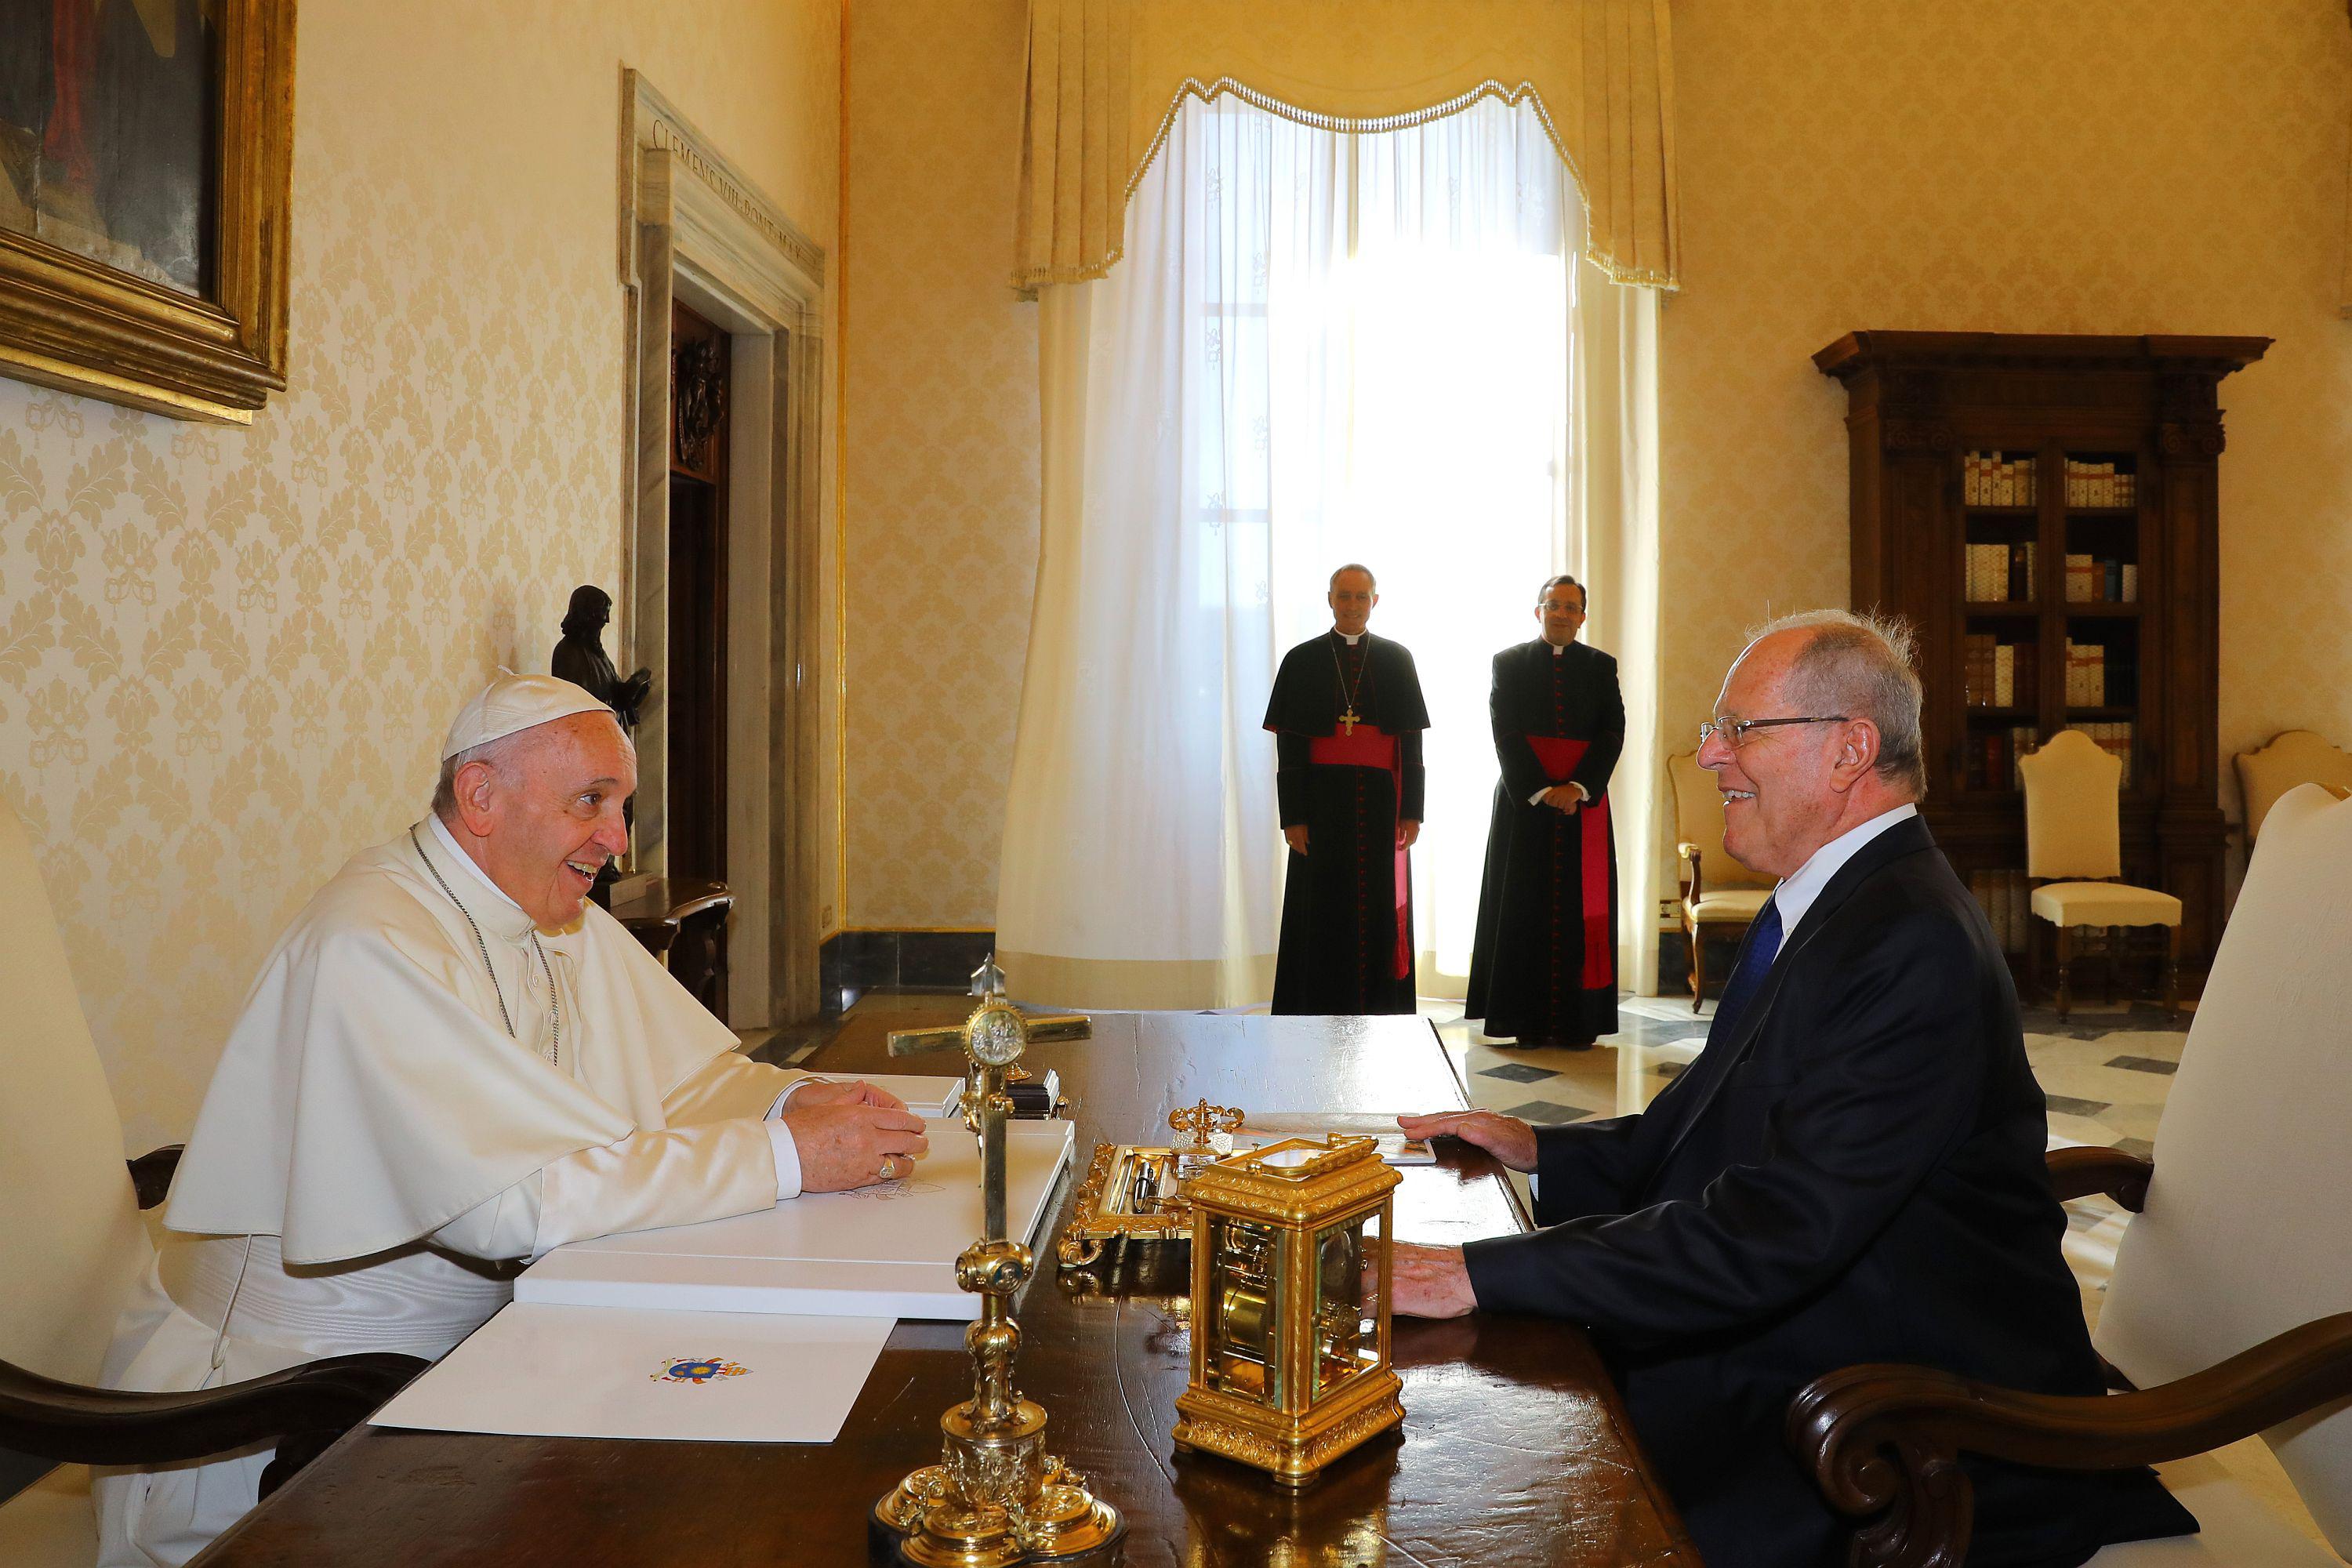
(1321, 347)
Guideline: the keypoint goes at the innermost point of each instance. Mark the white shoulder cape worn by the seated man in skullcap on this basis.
(370, 1092)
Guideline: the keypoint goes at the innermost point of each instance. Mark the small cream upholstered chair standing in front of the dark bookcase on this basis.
(2076, 855)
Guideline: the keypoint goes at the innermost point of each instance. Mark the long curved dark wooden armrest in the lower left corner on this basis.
(83, 1426)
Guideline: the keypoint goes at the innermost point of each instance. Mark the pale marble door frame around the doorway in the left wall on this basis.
(695, 229)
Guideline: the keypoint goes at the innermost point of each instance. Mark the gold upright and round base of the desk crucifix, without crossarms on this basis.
(996, 1496)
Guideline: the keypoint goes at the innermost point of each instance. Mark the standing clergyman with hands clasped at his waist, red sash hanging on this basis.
(1544, 965)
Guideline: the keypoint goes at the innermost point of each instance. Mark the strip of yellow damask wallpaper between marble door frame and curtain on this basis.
(942, 464)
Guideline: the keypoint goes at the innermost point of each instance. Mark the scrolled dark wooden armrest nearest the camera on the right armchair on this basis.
(1883, 1442)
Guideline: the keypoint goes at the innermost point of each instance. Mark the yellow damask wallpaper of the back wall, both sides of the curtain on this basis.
(2007, 166)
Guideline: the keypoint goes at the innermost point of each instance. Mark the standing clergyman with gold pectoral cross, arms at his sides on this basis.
(1349, 716)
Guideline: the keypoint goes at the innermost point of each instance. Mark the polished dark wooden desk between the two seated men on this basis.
(1514, 1445)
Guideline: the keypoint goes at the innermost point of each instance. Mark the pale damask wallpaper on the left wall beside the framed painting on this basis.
(227, 657)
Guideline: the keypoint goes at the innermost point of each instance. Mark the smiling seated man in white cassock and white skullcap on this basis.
(453, 1064)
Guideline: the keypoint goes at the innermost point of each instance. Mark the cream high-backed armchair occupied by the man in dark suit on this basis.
(2231, 1306)
